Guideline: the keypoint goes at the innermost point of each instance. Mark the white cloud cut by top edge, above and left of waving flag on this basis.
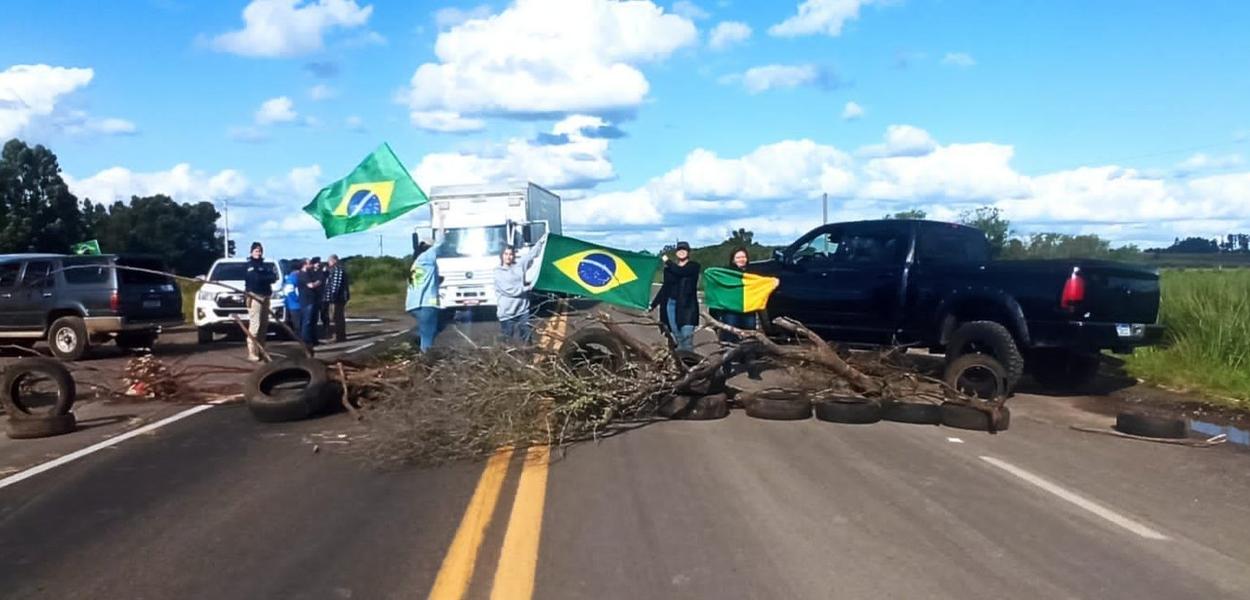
(291, 28)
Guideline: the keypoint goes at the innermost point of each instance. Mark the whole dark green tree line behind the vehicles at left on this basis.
(39, 214)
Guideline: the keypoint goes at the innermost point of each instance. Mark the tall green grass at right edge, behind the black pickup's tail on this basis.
(1208, 342)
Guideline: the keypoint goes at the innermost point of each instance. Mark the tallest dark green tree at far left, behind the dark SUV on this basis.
(38, 213)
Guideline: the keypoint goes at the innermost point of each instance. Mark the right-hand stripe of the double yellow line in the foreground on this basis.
(519, 561)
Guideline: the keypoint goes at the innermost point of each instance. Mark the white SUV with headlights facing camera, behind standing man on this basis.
(216, 307)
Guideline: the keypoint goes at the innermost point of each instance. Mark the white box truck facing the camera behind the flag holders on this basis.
(474, 224)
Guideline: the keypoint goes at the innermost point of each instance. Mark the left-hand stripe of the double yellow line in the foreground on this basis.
(458, 566)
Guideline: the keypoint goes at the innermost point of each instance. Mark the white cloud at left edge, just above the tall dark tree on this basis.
(33, 92)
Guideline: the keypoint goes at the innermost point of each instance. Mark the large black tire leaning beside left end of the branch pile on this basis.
(288, 391)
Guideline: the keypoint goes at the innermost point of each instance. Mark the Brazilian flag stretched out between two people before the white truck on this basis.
(584, 269)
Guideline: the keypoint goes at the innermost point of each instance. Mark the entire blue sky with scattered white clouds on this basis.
(1113, 118)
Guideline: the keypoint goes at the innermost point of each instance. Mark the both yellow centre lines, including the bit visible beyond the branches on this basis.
(518, 559)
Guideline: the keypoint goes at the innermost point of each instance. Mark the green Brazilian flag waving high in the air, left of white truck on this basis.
(378, 191)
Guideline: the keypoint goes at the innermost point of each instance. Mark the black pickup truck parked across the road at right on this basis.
(934, 286)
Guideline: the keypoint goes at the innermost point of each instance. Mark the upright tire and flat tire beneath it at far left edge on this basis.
(27, 419)
